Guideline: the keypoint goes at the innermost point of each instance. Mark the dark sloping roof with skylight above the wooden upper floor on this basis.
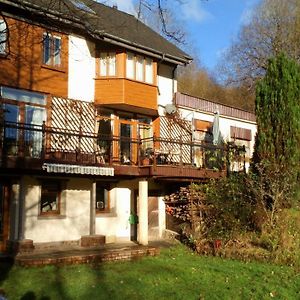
(107, 24)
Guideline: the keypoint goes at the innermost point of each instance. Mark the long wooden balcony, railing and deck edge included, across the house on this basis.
(24, 146)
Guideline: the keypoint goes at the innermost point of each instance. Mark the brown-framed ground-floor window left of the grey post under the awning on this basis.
(50, 197)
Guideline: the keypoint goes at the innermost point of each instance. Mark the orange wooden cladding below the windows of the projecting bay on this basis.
(124, 91)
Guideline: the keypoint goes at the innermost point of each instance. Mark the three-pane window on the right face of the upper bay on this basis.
(139, 68)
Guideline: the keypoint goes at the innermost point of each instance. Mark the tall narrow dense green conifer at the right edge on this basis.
(277, 152)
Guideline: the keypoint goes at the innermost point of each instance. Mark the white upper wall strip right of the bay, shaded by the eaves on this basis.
(167, 85)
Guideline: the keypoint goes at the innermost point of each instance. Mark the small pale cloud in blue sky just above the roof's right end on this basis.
(192, 10)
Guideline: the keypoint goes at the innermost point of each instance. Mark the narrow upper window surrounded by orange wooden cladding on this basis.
(51, 50)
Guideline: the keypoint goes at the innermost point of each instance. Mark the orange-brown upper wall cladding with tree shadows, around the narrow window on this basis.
(23, 67)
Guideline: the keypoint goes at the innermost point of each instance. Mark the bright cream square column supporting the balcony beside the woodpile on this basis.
(143, 213)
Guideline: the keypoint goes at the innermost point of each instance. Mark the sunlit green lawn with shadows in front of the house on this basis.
(176, 274)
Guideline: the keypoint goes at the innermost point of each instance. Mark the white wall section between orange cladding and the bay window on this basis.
(81, 84)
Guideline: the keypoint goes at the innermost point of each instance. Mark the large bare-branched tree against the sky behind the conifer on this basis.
(273, 28)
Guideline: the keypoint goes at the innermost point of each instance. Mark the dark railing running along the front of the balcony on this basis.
(50, 144)
